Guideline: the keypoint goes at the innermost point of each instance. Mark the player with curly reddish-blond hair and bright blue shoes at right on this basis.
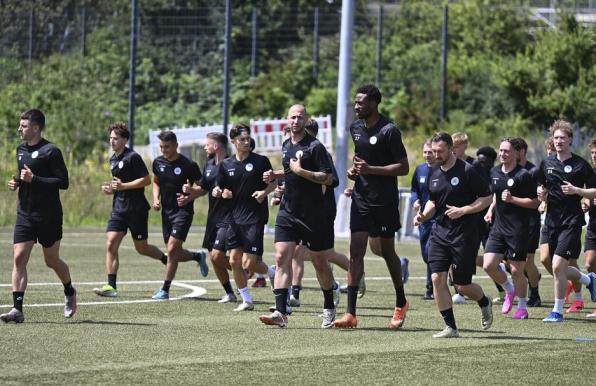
(560, 176)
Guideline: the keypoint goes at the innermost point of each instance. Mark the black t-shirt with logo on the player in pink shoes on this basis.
(511, 219)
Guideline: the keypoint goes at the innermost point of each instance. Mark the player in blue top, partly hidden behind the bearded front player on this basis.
(419, 196)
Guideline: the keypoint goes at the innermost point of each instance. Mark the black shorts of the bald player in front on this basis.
(315, 236)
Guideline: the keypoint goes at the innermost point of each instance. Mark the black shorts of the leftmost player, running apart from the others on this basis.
(46, 230)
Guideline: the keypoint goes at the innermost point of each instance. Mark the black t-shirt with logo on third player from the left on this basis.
(171, 176)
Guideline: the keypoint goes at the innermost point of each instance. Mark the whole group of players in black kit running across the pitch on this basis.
(448, 194)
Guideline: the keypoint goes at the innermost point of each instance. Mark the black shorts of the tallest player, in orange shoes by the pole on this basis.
(378, 221)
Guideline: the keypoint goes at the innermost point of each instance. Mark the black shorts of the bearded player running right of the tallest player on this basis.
(459, 256)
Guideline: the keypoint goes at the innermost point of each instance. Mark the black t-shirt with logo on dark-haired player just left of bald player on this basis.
(244, 178)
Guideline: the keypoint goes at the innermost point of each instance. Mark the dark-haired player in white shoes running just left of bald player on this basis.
(240, 179)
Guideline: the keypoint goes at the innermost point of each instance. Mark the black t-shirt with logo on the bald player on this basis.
(302, 198)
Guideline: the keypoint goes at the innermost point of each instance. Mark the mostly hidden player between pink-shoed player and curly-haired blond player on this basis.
(531, 270)
